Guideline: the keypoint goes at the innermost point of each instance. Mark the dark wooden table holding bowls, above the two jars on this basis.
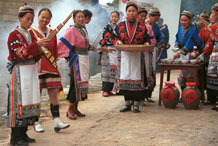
(195, 68)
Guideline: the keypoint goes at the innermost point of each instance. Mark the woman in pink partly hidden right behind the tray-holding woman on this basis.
(150, 57)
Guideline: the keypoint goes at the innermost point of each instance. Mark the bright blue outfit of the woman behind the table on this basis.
(186, 39)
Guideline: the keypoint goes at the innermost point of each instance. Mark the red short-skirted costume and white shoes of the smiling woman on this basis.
(49, 78)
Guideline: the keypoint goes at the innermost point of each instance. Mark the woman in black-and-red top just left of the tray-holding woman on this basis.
(108, 59)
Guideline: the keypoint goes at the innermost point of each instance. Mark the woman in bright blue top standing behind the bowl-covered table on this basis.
(186, 38)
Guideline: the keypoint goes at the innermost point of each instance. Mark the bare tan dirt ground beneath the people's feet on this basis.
(105, 125)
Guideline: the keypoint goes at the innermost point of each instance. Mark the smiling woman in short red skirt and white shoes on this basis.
(49, 76)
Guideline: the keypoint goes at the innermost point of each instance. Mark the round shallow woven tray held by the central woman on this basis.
(135, 48)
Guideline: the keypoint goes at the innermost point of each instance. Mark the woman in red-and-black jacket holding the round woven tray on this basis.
(131, 78)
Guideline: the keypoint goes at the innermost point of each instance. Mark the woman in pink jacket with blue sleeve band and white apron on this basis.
(74, 46)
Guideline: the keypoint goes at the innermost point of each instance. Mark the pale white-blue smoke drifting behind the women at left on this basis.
(60, 10)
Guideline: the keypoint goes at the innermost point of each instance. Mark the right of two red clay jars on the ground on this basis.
(191, 96)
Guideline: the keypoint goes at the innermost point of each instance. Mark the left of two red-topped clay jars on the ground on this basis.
(170, 95)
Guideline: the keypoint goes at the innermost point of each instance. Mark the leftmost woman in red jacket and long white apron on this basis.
(24, 95)
